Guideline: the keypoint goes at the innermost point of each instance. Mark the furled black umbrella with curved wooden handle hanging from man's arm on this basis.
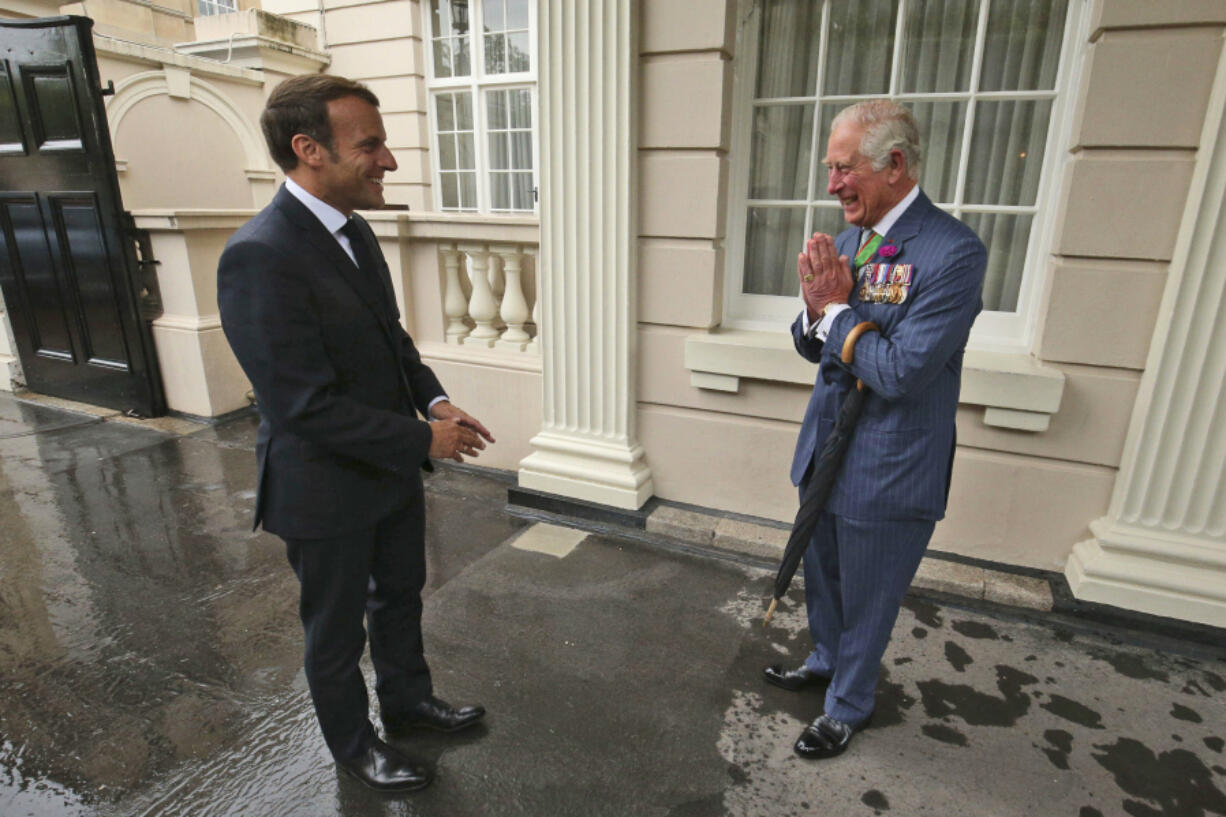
(824, 473)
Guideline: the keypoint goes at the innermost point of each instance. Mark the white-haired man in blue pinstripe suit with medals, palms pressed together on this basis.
(916, 273)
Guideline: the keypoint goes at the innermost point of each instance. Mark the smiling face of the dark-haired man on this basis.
(351, 177)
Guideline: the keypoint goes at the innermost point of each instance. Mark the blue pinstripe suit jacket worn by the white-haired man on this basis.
(899, 462)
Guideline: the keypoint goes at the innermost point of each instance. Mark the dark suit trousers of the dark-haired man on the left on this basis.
(376, 573)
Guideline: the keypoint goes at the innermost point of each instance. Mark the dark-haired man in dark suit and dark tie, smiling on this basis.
(307, 305)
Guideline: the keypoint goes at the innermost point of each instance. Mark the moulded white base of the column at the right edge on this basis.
(1158, 572)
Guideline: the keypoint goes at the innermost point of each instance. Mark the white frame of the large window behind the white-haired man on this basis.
(994, 331)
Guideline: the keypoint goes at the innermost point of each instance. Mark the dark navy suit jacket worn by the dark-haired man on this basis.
(337, 377)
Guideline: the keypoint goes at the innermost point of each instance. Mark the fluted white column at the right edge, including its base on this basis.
(1162, 549)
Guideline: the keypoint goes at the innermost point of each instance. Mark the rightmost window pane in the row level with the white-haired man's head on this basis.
(1007, 153)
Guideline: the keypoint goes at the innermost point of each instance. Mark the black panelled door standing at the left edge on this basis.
(68, 259)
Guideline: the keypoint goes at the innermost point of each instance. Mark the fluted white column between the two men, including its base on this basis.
(587, 448)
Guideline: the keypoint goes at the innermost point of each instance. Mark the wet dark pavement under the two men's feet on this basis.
(150, 665)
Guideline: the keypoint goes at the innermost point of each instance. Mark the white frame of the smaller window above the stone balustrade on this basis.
(479, 84)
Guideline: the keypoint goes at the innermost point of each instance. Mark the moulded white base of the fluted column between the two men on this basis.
(606, 473)
